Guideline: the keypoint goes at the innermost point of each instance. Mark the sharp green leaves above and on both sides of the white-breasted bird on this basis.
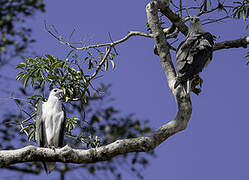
(69, 75)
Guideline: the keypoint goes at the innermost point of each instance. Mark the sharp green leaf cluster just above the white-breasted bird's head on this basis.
(67, 74)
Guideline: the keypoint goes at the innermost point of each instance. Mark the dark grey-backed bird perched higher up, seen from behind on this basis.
(192, 55)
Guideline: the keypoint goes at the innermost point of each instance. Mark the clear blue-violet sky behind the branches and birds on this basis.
(215, 144)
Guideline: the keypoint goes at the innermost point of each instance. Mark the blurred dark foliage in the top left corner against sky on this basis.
(15, 36)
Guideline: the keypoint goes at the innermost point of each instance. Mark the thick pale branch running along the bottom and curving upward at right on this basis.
(140, 144)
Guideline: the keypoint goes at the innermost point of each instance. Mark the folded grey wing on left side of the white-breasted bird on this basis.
(39, 126)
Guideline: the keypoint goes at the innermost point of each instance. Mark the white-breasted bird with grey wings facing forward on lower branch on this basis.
(50, 124)
